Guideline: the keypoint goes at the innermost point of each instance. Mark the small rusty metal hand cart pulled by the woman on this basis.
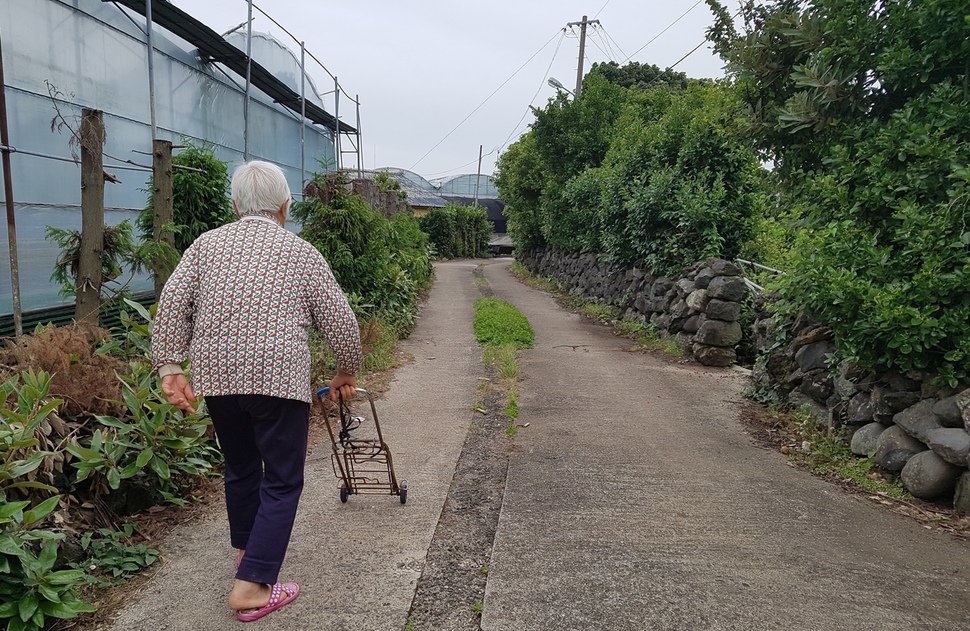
(361, 459)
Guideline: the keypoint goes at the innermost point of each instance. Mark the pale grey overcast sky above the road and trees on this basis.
(438, 78)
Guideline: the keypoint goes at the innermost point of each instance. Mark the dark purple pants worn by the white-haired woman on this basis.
(264, 441)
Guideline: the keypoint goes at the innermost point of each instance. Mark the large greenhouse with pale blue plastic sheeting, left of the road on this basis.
(60, 57)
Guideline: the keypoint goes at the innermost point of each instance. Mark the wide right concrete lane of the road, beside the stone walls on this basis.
(635, 501)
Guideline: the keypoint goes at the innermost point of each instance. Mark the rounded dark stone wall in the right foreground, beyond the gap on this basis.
(905, 422)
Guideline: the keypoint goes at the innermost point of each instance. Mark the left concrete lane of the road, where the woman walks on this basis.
(357, 563)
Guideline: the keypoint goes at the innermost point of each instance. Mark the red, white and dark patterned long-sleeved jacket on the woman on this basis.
(240, 305)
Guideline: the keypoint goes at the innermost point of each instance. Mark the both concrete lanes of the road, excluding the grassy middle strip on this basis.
(634, 501)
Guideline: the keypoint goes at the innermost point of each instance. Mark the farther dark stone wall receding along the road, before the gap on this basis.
(700, 306)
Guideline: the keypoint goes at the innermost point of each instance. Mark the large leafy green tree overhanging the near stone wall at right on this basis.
(865, 110)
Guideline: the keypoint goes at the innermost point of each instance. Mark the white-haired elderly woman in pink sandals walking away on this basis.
(239, 306)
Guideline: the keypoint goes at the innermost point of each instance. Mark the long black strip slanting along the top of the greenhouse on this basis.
(213, 47)
